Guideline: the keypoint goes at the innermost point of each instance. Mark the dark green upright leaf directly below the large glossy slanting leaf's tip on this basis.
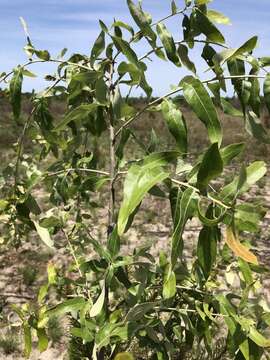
(211, 167)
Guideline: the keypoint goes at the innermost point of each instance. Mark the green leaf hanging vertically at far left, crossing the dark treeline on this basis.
(15, 90)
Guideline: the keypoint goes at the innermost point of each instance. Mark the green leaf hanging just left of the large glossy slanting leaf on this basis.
(176, 124)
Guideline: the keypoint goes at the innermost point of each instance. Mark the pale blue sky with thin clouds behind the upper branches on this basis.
(54, 24)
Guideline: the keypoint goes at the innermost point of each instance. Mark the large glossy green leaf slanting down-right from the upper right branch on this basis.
(198, 98)
